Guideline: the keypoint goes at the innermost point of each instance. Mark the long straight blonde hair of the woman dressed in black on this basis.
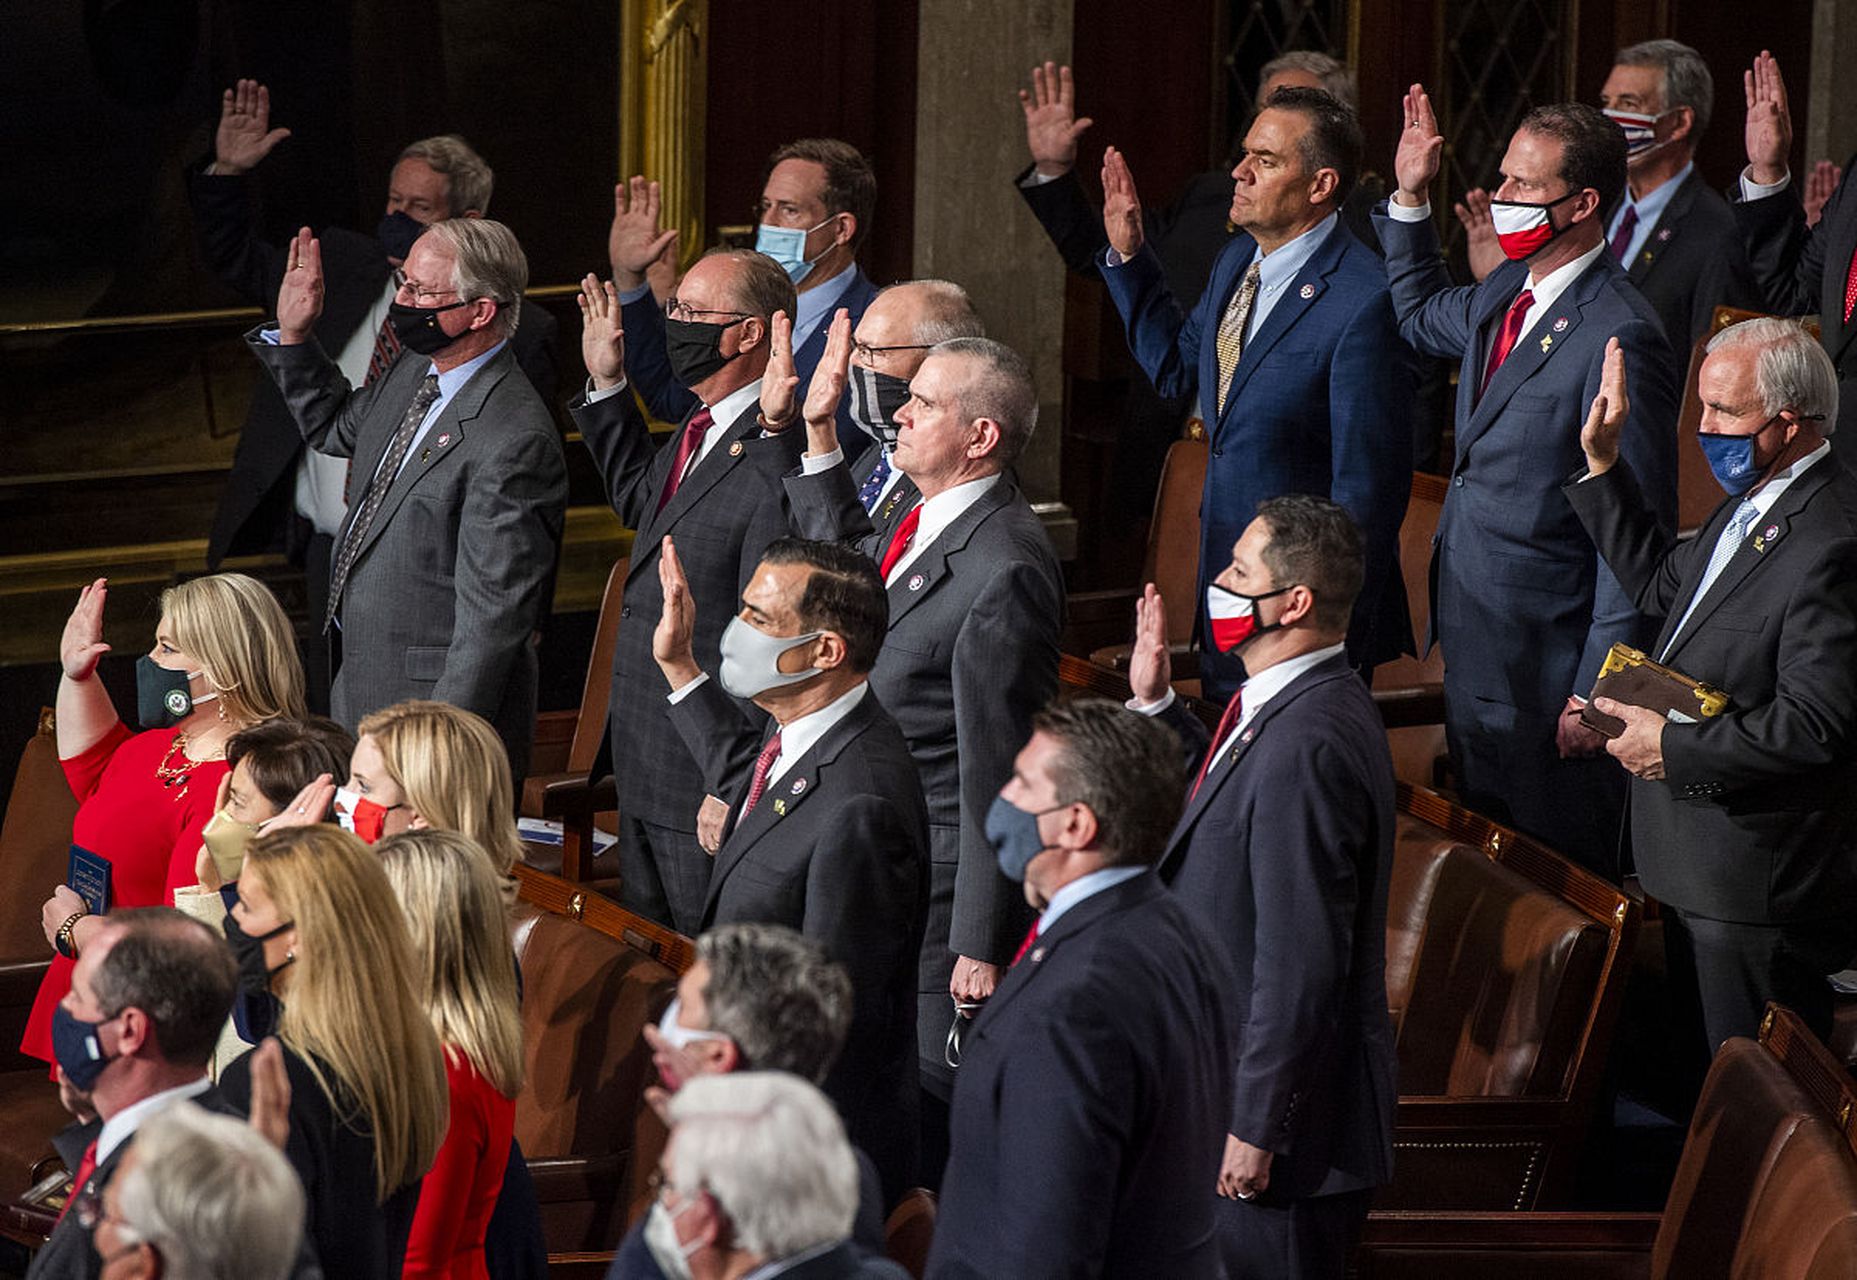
(352, 1013)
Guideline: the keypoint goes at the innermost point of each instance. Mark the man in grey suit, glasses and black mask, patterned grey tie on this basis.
(458, 486)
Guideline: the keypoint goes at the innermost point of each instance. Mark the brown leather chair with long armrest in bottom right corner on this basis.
(1767, 1188)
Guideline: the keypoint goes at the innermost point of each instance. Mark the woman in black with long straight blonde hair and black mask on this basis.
(369, 1093)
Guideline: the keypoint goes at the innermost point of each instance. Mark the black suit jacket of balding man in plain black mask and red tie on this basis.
(723, 517)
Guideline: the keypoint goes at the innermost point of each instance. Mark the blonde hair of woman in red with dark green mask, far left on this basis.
(239, 633)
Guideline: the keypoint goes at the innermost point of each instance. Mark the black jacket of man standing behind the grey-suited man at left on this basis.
(261, 491)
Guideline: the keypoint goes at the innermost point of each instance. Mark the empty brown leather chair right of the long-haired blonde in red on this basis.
(593, 976)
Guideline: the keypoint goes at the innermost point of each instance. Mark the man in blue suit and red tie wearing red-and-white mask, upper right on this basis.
(1522, 601)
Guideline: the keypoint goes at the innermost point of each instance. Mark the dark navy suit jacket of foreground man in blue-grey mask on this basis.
(1091, 1103)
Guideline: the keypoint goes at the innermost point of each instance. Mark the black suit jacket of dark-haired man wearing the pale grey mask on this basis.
(837, 848)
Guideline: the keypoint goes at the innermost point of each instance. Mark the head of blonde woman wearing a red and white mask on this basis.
(434, 764)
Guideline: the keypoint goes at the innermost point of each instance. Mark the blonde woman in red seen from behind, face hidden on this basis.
(461, 960)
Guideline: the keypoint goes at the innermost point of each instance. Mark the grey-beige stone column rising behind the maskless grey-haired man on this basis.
(970, 224)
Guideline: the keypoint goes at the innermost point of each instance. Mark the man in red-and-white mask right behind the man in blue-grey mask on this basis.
(1284, 856)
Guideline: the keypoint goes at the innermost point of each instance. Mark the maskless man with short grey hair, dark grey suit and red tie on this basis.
(976, 608)
